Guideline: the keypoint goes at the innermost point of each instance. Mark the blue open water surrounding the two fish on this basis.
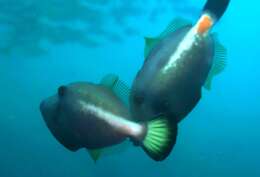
(45, 44)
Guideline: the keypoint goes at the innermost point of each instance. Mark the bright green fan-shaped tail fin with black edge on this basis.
(160, 138)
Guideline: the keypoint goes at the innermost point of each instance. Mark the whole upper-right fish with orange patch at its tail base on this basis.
(178, 64)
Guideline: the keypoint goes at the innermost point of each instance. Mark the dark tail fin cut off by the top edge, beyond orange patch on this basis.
(216, 8)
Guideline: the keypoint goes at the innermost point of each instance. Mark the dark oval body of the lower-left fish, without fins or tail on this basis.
(87, 112)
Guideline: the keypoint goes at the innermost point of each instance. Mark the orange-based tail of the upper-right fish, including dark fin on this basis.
(212, 12)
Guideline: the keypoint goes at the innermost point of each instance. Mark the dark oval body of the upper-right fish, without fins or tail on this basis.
(172, 87)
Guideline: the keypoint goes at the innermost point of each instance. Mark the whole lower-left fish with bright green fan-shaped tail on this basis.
(92, 116)
